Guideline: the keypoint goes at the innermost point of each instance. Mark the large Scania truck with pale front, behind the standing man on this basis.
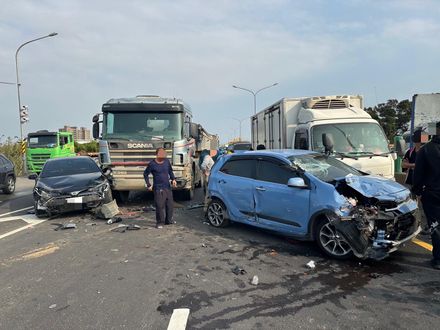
(132, 129)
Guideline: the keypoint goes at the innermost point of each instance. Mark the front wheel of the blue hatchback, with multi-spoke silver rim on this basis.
(330, 242)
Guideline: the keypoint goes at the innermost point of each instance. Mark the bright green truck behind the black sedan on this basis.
(43, 145)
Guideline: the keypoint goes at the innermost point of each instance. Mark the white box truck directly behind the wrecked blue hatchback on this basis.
(334, 124)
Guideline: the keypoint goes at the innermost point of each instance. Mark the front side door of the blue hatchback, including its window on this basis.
(280, 207)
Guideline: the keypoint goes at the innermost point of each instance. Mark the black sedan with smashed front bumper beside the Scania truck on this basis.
(69, 184)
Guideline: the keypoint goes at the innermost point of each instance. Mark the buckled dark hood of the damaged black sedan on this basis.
(70, 183)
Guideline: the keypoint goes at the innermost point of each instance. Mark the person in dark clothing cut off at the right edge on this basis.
(426, 183)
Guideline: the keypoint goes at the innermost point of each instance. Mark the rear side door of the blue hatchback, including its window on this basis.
(236, 184)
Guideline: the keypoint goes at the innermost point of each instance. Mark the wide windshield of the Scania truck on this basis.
(143, 126)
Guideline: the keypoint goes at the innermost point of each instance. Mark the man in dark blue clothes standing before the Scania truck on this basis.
(162, 172)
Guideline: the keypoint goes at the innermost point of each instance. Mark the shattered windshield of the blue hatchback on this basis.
(323, 167)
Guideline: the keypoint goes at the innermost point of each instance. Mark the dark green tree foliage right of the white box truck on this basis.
(393, 116)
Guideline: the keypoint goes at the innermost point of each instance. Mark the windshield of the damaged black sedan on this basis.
(69, 166)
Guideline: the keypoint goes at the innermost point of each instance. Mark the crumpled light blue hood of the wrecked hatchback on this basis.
(377, 187)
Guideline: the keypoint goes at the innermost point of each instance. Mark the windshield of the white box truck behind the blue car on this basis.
(352, 138)
